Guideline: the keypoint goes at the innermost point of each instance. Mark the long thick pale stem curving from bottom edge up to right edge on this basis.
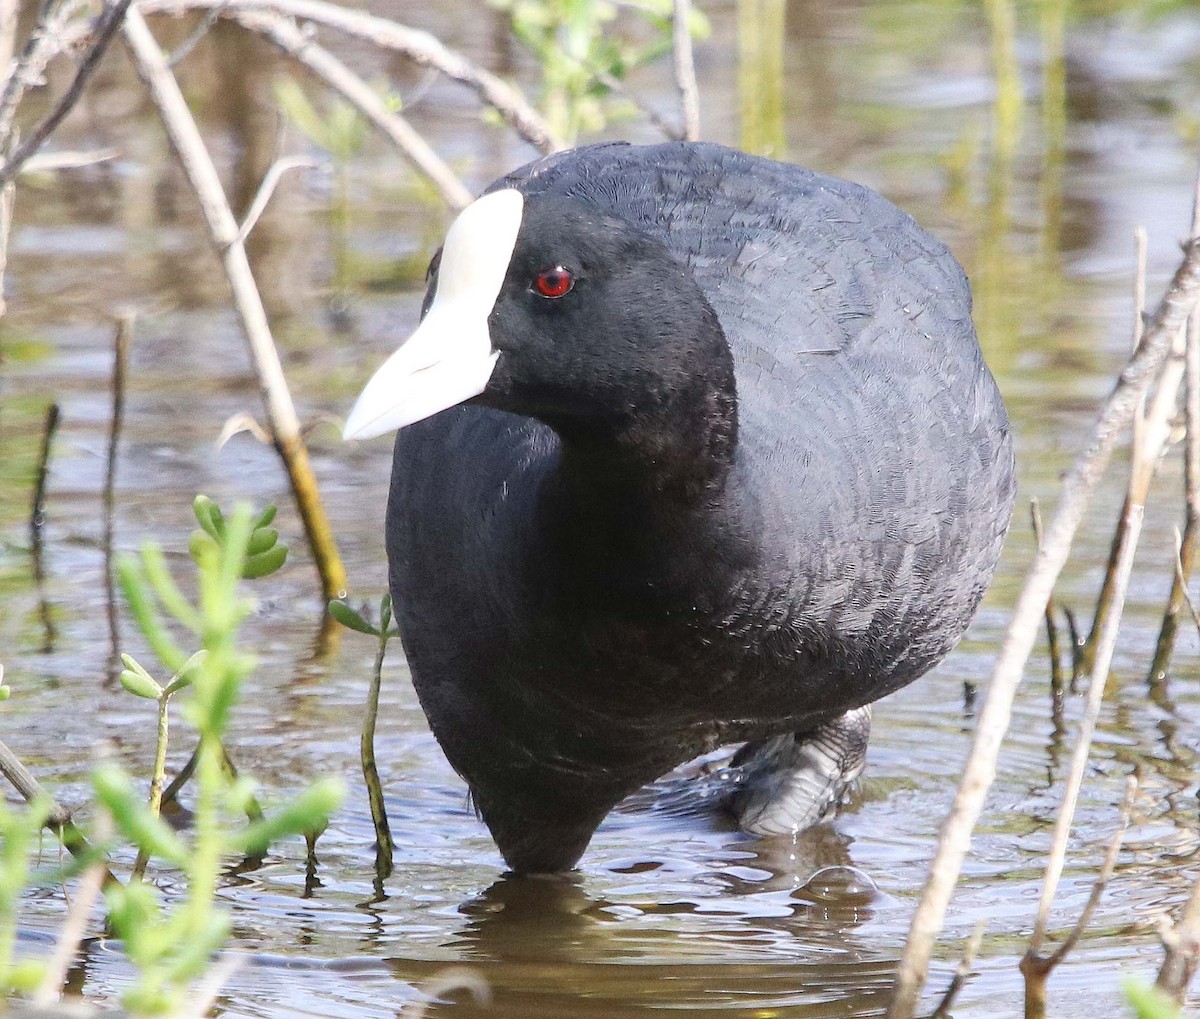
(981, 768)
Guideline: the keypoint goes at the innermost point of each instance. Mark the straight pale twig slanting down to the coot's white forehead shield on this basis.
(338, 76)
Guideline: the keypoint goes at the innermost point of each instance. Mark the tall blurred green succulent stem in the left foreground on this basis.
(171, 949)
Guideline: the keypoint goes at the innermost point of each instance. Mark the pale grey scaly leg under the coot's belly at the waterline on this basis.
(791, 782)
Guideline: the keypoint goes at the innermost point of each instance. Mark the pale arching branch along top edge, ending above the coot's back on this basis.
(418, 46)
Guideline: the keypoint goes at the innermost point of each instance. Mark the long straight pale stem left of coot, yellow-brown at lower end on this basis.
(202, 175)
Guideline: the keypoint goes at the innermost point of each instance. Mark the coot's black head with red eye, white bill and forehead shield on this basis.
(549, 308)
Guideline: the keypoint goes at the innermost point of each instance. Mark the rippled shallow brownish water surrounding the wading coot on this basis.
(671, 909)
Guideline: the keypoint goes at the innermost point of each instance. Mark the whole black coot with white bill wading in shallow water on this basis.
(728, 467)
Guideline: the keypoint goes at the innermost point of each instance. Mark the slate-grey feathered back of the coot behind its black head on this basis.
(872, 435)
